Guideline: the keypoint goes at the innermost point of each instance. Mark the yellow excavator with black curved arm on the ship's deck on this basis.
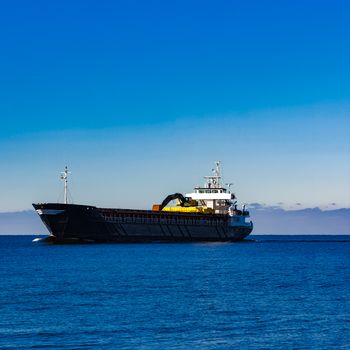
(183, 205)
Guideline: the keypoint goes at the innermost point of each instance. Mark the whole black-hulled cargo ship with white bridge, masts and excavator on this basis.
(209, 213)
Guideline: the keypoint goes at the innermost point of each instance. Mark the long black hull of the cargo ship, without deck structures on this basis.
(69, 223)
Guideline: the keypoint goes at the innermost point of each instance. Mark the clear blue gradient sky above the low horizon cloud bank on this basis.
(140, 98)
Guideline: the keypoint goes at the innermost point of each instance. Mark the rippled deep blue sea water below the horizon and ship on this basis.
(272, 292)
